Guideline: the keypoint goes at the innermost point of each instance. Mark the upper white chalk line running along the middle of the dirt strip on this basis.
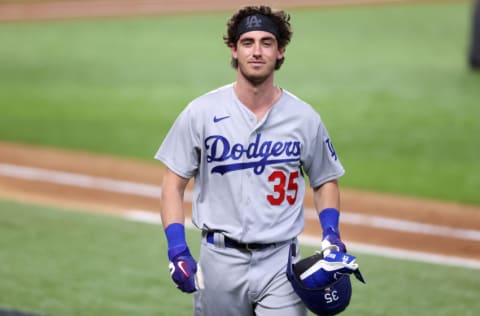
(148, 190)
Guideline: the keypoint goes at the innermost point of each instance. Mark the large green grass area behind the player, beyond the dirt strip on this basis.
(391, 83)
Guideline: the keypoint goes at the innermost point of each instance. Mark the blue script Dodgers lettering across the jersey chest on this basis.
(256, 155)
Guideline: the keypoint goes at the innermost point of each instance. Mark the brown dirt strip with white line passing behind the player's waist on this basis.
(369, 218)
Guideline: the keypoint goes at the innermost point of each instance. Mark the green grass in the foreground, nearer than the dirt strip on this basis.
(64, 262)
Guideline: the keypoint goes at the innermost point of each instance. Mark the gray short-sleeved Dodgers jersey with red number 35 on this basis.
(249, 175)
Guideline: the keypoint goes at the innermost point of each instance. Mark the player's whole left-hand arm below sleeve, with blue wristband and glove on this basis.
(183, 267)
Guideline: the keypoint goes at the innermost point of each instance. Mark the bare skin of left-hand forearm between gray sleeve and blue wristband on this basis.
(171, 203)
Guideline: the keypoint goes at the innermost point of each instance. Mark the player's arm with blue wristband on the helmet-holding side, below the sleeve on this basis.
(327, 204)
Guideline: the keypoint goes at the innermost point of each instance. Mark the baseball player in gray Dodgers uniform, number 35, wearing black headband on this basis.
(249, 146)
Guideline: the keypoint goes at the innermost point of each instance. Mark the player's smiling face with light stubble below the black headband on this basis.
(257, 53)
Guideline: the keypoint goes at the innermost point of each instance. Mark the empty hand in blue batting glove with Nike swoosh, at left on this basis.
(183, 269)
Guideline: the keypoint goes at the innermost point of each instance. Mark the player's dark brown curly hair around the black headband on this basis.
(279, 17)
